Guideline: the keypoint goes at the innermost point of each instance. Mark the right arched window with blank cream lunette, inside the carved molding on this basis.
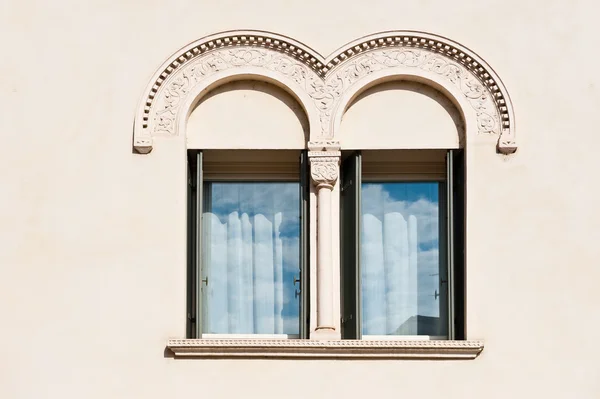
(402, 273)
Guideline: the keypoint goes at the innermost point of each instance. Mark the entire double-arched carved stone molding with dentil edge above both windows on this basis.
(325, 86)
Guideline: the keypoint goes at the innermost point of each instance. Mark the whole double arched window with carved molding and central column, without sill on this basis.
(327, 195)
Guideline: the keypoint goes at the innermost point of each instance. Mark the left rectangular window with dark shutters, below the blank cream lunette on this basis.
(247, 250)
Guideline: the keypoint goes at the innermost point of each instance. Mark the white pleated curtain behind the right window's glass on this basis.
(389, 273)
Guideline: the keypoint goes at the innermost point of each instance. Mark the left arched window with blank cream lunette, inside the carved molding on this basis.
(248, 217)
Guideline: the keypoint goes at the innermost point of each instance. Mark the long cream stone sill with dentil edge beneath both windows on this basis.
(345, 349)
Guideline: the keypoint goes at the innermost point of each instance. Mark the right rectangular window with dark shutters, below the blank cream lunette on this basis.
(402, 271)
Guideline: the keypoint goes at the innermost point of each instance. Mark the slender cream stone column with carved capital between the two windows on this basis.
(324, 170)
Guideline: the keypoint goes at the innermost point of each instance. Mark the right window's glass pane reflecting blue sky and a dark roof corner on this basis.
(401, 272)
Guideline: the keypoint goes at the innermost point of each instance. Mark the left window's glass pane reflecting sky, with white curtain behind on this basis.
(251, 253)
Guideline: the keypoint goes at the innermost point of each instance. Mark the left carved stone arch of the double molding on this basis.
(202, 65)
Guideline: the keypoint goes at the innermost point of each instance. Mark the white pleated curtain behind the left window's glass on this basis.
(243, 261)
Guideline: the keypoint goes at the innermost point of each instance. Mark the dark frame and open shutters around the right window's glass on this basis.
(451, 226)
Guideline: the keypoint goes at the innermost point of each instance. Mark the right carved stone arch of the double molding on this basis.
(457, 72)
